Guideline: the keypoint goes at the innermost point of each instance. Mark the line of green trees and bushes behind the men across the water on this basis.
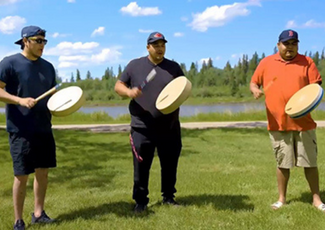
(207, 80)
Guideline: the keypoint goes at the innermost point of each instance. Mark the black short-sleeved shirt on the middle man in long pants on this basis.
(144, 113)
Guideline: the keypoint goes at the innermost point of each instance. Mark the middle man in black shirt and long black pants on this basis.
(150, 129)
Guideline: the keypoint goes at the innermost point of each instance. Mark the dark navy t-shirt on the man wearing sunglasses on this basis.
(26, 78)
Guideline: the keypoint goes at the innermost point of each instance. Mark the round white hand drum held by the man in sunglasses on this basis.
(66, 101)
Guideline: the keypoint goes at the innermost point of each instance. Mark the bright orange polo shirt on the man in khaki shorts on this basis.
(290, 76)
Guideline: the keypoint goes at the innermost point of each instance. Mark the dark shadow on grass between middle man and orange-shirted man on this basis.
(220, 202)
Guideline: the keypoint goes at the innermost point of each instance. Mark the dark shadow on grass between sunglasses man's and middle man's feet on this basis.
(120, 209)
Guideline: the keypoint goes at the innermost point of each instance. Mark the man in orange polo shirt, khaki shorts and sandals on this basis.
(293, 140)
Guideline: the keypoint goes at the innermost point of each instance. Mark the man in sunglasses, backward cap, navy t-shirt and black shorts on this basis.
(23, 77)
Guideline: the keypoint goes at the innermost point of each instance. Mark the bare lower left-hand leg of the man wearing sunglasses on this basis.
(19, 194)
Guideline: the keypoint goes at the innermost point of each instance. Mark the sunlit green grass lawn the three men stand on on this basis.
(226, 180)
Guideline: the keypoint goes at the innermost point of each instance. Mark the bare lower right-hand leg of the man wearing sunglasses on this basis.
(40, 186)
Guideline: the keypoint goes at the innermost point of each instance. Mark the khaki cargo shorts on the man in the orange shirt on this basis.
(294, 148)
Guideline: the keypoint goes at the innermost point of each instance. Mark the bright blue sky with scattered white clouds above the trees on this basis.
(96, 34)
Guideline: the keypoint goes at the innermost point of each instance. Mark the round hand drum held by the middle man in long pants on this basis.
(173, 95)
